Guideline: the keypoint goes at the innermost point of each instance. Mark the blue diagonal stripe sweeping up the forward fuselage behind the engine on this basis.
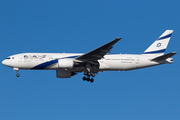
(49, 63)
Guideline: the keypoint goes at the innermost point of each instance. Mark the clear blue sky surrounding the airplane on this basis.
(78, 27)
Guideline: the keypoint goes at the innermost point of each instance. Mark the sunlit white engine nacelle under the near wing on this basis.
(65, 63)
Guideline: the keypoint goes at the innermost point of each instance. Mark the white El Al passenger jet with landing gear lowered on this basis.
(93, 62)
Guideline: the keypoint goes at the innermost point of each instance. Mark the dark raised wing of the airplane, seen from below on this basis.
(98, 53)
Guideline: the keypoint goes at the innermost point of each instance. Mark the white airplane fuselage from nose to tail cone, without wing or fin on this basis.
(111, 62)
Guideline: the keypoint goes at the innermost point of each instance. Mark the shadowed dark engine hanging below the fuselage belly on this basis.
(64, 74)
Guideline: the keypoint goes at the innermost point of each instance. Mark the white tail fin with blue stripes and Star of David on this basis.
(159, 46)
